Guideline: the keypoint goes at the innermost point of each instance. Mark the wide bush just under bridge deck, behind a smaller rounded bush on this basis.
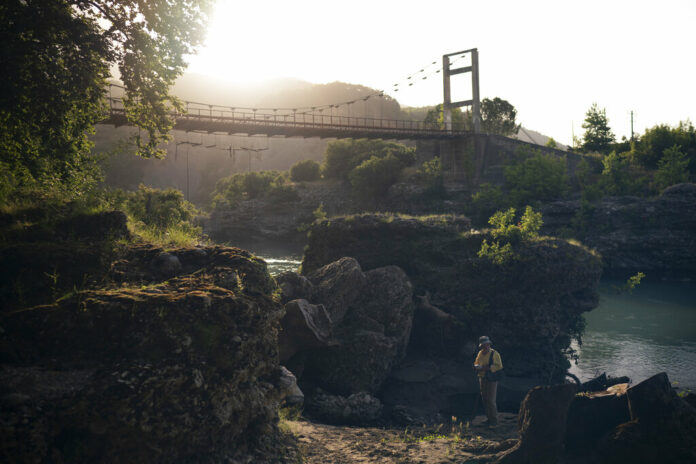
(342, 156)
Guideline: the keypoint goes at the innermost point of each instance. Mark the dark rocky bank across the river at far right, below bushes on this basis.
(650, 235)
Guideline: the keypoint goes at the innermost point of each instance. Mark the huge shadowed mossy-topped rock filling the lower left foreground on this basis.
(181, 370)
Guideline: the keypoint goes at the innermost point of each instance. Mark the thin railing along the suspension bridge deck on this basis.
(202, 112)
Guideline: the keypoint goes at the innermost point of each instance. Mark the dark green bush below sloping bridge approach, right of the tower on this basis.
(537, 178)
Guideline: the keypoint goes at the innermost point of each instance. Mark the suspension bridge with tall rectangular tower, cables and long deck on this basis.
(313, 121)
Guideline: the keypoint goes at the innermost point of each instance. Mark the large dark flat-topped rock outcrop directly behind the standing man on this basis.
(530, 306)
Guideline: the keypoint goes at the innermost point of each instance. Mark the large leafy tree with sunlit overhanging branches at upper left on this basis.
(57, 56)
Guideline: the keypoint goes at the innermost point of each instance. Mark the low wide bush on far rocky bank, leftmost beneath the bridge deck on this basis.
(251, 185)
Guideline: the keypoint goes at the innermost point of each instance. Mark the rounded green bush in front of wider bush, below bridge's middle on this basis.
(374, 176)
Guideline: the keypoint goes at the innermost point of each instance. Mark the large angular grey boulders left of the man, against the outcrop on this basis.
(370, 315)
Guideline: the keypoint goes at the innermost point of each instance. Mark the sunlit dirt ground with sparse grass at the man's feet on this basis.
(322, 444)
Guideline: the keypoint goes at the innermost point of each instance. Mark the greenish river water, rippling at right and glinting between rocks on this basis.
(638, 334)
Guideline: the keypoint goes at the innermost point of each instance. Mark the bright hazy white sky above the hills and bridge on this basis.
(551, 59)
